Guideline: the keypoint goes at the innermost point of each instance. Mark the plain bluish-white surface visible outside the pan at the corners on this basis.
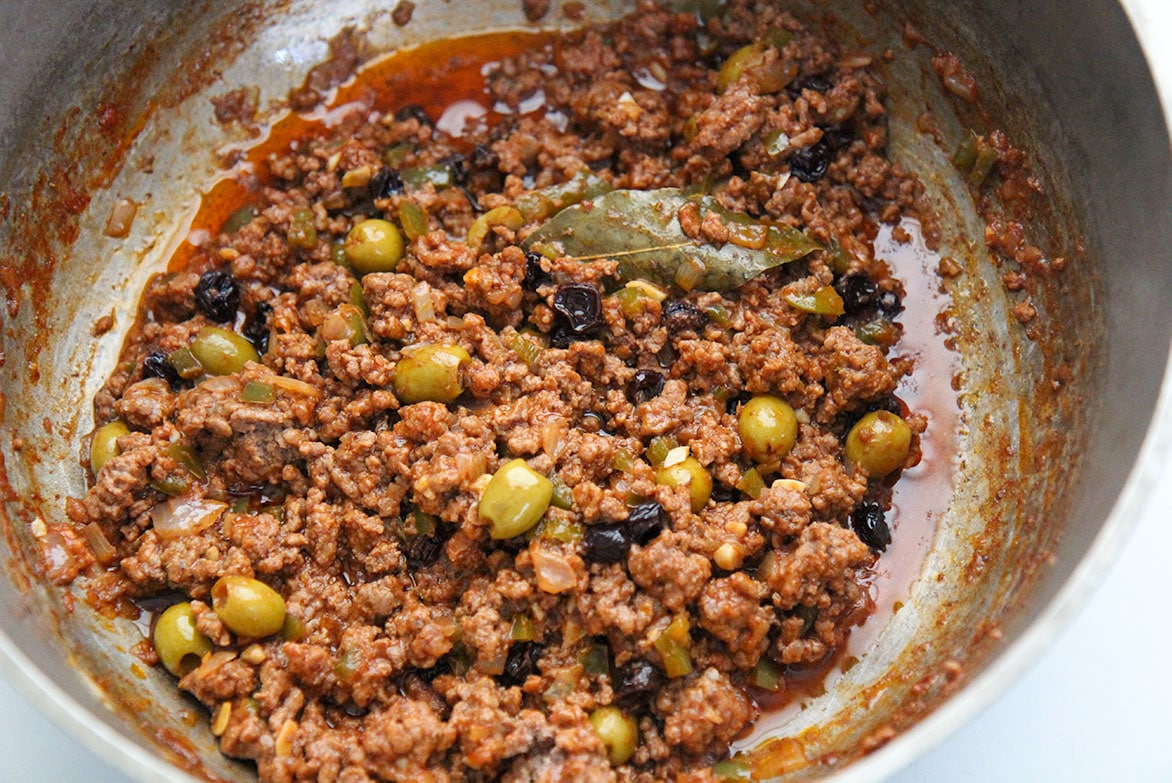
(1096, 707)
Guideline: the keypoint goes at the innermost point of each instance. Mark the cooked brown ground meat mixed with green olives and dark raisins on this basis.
(376, 453)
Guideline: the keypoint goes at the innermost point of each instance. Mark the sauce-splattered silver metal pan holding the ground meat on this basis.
(1058, 435)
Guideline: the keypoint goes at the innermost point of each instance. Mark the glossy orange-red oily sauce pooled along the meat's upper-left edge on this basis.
(446, 78)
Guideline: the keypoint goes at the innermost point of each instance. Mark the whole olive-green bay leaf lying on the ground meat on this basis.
(640, 230)
